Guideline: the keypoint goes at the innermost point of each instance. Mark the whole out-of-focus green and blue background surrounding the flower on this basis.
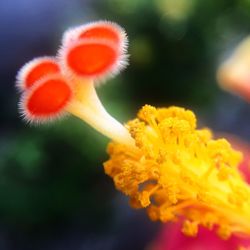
(53, 190)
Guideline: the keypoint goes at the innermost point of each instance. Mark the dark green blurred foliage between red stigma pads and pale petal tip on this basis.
(175, 45)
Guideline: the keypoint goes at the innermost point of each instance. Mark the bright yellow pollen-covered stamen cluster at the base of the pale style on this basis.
(178, 172)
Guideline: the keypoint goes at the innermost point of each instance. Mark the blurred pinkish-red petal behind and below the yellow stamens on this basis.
(171, 237)
